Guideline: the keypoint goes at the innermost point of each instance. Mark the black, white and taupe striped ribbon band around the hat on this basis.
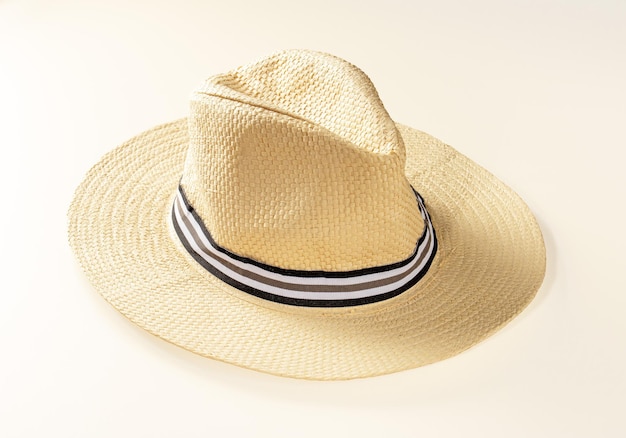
(297, 287)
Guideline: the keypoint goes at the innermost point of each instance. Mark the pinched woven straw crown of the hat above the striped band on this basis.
(294, 162)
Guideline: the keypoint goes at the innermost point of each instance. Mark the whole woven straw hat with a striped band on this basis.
(288, 225)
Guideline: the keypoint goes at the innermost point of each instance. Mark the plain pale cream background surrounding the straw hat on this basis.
(534, 91)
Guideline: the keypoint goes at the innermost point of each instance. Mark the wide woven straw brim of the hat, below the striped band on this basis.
(489, 265)
